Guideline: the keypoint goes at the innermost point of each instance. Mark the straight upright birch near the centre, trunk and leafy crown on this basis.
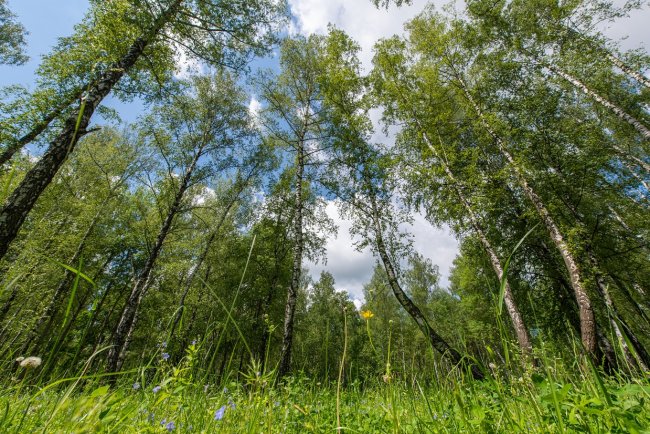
(296, 119)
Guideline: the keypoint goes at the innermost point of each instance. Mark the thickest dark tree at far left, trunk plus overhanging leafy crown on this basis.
(234, 31)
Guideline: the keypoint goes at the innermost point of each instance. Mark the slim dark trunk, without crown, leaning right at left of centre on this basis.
(127, 319)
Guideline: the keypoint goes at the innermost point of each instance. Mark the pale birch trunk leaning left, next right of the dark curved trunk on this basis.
(523, 337)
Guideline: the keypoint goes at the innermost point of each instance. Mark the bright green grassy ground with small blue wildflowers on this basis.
(171, 401)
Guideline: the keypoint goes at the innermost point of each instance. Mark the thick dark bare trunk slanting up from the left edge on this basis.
(23, 198)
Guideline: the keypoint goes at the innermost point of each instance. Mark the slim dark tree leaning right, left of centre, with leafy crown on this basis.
(212, 124)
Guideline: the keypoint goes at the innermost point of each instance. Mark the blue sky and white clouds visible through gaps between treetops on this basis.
(46, 20)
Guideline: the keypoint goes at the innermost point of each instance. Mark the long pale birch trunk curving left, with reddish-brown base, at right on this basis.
(587, 320)
